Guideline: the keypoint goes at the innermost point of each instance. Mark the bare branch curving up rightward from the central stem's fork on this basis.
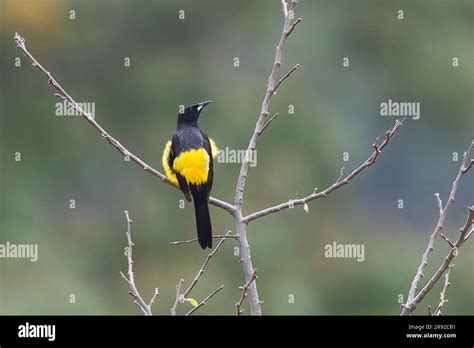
(336, 185)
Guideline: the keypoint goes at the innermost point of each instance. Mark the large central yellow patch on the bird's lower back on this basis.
(193, 165)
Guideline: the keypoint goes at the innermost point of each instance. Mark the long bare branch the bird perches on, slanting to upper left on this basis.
(21, 44)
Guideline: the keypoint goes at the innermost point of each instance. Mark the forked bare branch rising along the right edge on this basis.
(413, 299)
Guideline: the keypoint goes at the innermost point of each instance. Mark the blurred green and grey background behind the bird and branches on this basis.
(175, 62)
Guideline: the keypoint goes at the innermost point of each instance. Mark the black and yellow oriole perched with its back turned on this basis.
(188, 163)
